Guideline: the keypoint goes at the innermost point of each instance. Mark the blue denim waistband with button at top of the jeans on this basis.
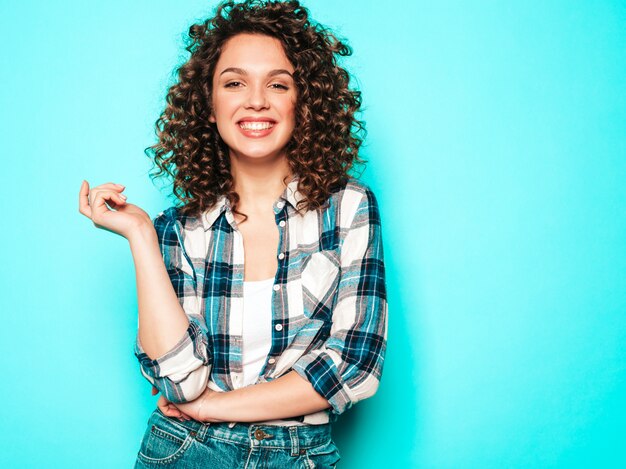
(249, 434)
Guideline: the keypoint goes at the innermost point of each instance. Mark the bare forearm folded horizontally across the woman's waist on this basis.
(287, 396)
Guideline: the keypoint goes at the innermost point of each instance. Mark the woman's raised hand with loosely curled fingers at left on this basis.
(122, 218)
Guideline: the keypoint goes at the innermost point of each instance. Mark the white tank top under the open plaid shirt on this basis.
(257, 334)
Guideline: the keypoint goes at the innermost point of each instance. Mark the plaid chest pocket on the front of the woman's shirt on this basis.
(320, 278)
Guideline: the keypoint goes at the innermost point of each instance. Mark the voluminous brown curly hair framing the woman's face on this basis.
(326, 138)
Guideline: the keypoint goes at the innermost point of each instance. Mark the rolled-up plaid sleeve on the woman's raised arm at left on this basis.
(181, 374)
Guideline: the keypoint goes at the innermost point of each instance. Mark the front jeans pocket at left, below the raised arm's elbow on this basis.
(164, 442)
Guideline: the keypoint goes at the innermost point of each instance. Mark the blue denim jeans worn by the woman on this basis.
(191, 444)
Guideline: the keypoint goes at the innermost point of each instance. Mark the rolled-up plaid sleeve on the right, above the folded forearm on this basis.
(348, 366)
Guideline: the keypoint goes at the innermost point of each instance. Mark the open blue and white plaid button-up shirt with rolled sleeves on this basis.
(329, 305)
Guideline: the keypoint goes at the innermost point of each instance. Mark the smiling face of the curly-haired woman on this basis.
(254, 97)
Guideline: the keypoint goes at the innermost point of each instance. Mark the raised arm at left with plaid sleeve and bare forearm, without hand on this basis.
(171, 342)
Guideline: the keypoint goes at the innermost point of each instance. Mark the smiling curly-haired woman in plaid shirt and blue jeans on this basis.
(262, 298)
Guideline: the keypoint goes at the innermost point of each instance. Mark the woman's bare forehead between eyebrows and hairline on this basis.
(256, 52)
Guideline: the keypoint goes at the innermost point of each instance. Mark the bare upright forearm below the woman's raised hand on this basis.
(162, 320)
